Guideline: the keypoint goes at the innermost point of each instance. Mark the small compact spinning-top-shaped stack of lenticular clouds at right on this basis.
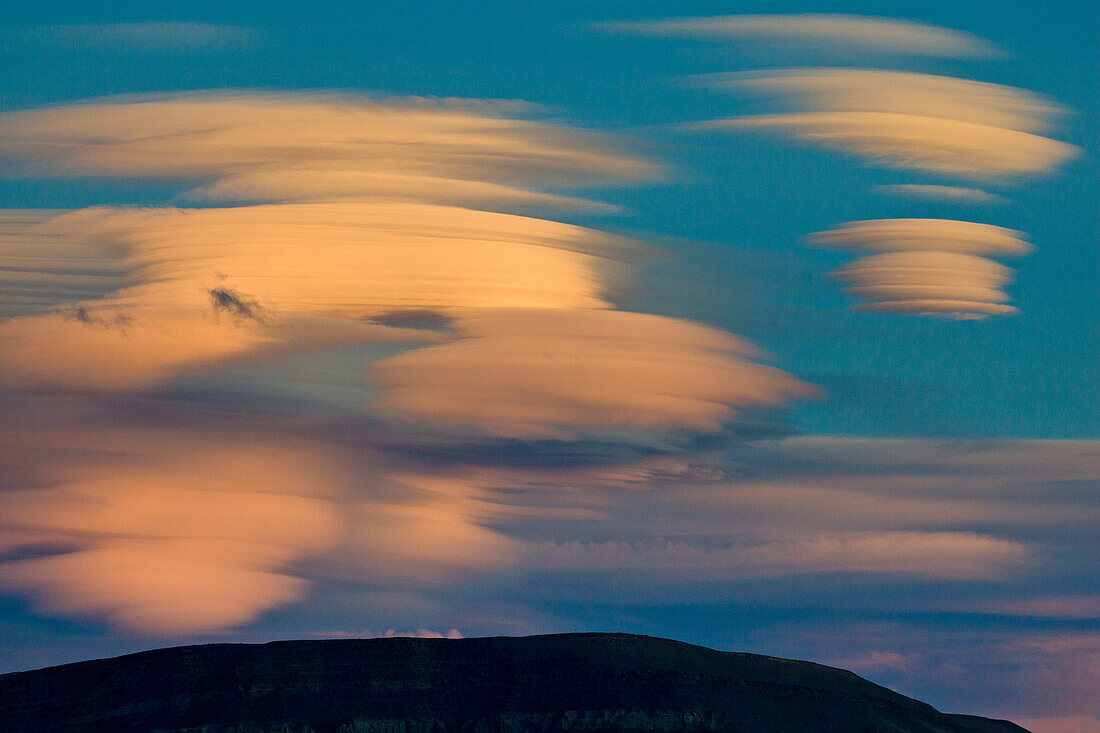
(928, 266)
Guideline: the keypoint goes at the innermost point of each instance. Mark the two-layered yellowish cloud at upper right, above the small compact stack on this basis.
(906, 121)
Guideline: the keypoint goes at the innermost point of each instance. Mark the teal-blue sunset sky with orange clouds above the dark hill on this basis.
(771, 327)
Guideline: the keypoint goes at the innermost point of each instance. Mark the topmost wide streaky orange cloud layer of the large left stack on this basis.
(306, 148)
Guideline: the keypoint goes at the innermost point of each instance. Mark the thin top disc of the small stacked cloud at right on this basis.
(925, 236)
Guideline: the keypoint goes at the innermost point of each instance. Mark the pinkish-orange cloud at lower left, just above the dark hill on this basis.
(163, 522)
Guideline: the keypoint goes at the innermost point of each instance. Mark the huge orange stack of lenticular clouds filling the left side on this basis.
(304, 222)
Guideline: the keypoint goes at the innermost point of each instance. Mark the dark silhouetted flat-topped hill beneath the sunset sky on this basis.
(536, 684)
